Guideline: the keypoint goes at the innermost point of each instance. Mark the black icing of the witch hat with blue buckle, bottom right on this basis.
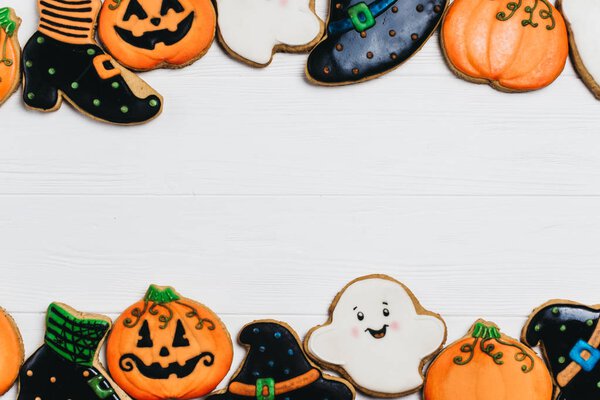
(557, 328)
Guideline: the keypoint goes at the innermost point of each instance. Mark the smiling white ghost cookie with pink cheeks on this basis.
(378, 336)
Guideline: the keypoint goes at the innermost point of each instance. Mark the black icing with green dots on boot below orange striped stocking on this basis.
(70, 64)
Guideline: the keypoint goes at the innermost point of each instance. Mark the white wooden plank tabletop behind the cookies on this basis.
(261, 195)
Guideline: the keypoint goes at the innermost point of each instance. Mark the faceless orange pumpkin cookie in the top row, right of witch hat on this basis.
(513, 46)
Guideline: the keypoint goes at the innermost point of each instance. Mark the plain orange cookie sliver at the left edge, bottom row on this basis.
(11, 351)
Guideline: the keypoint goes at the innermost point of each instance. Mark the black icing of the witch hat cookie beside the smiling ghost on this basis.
(275, 353)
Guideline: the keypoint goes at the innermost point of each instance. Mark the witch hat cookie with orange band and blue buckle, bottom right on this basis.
(569, 335)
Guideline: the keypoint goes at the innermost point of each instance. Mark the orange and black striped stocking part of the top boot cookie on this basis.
(69, 21)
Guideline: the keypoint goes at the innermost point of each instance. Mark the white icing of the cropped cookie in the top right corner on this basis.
(581, 15)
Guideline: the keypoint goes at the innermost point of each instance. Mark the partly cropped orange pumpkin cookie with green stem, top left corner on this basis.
(10, 55)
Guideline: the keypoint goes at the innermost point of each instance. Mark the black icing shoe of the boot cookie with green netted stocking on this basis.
(47, 375)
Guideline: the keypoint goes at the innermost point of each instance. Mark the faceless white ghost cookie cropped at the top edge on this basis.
(254, 30)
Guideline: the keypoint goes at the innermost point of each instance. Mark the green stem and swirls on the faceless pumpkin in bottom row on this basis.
(486, 336)
